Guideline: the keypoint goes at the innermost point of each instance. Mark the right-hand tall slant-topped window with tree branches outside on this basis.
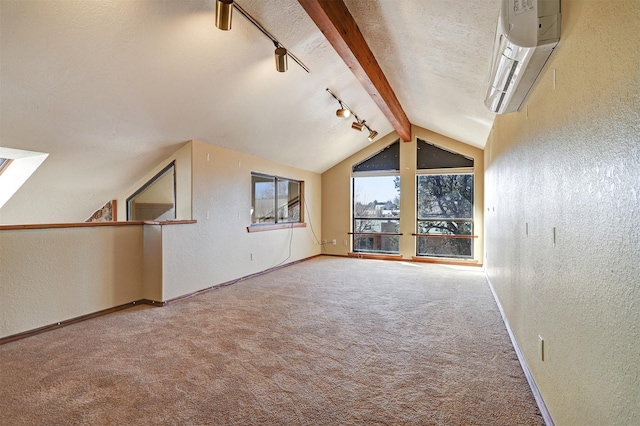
(444, 203)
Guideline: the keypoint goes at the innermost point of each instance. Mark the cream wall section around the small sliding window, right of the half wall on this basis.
(218, 248)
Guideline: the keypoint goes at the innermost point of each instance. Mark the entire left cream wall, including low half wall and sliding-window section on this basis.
(52, 275)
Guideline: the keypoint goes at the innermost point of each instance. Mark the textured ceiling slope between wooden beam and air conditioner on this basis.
(435, 54)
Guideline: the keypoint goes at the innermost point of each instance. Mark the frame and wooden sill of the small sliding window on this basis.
(277, 223)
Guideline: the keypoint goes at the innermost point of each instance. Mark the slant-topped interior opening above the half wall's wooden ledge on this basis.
(156, 199)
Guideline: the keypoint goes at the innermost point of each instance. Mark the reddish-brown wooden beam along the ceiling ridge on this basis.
(336, 23)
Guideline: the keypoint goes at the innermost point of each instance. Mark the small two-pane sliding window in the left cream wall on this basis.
(275, 200)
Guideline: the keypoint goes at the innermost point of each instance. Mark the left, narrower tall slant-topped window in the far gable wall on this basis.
(376, 203)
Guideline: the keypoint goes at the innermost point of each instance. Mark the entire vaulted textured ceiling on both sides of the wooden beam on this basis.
(110, 88)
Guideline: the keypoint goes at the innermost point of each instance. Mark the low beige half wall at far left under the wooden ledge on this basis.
(52, 275)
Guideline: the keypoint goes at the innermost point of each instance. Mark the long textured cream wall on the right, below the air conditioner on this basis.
(572, 163)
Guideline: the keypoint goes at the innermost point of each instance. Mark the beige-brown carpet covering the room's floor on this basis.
(330, 341)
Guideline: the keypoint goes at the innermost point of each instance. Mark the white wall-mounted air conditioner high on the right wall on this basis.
(528, 31)
